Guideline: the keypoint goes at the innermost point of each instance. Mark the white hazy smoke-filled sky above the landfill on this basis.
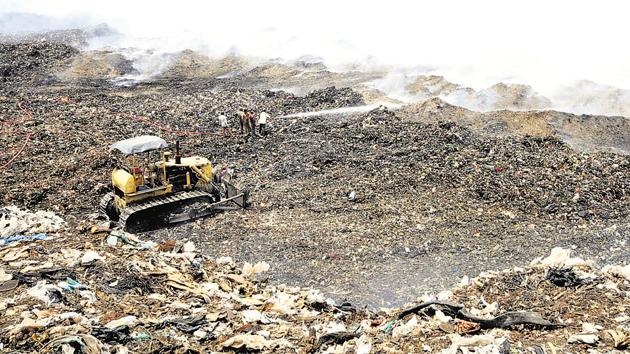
(543, 43)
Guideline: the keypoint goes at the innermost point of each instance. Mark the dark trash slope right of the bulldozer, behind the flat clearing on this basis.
(538, 176)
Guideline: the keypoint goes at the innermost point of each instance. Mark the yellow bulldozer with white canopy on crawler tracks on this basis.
(147, 196)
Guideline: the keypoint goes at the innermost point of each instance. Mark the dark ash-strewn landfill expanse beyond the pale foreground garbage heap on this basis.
(441, 192)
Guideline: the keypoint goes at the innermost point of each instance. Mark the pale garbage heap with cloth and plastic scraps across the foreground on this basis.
(101, 290)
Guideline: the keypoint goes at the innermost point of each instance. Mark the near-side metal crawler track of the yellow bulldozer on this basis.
(160, 206)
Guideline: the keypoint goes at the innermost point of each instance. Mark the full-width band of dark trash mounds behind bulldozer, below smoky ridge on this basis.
(524, 173)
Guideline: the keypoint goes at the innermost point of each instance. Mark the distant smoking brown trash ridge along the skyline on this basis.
(53, 66)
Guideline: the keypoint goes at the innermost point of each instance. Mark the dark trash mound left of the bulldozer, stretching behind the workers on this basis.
(59, 124)
